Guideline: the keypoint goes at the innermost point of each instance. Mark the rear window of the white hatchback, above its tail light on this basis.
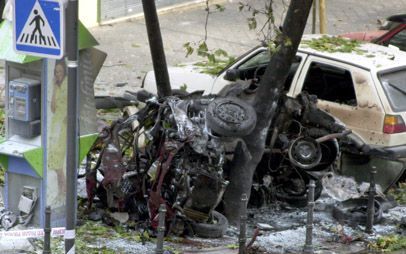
(394, 84)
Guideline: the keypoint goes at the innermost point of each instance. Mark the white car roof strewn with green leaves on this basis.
(368, 55)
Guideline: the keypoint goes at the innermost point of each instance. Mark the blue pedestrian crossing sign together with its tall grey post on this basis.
(39, 30)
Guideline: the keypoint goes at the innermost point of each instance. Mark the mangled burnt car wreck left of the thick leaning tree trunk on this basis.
(171, 157)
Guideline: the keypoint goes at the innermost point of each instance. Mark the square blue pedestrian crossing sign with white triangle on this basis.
(39, 28)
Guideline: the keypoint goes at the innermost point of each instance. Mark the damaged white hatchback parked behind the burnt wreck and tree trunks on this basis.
(368, 115)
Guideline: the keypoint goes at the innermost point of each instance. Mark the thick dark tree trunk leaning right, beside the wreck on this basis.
(248, 155)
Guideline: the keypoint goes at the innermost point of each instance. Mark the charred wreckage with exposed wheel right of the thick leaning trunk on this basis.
(301, 144)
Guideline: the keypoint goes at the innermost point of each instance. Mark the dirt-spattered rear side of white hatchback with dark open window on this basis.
(347, 92)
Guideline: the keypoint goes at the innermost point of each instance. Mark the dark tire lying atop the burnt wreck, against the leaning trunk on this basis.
(230, 117)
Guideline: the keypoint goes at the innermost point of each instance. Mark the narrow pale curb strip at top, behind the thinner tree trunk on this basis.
(173, 8)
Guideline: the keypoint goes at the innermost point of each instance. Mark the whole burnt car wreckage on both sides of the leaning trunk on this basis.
(177, 151)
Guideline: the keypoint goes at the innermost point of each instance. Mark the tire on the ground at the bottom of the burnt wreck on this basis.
(212, 230)
